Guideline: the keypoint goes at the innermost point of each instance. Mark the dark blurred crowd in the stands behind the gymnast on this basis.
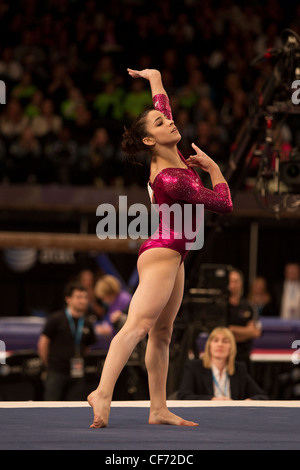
(68, 95)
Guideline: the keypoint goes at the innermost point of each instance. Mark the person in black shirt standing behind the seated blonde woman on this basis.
(243, 319)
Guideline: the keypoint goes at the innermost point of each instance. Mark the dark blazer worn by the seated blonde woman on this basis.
(197, 383)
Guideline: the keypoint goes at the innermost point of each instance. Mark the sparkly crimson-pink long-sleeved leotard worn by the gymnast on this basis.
(181, 186)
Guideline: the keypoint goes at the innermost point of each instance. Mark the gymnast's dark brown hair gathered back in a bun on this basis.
(132, 139)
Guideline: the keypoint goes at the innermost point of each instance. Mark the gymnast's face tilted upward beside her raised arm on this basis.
(160, 130)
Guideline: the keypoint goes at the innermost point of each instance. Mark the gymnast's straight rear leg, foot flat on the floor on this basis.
(157, 357)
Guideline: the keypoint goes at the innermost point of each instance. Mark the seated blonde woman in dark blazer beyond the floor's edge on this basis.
(217, 376)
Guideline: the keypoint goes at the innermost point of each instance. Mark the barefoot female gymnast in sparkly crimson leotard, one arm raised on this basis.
(157, 299)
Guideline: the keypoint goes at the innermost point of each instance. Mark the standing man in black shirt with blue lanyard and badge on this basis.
(63, 346)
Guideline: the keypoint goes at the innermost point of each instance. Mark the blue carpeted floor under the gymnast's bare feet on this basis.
(220, 428)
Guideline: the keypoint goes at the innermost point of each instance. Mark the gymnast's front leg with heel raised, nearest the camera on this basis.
(157, 270)
